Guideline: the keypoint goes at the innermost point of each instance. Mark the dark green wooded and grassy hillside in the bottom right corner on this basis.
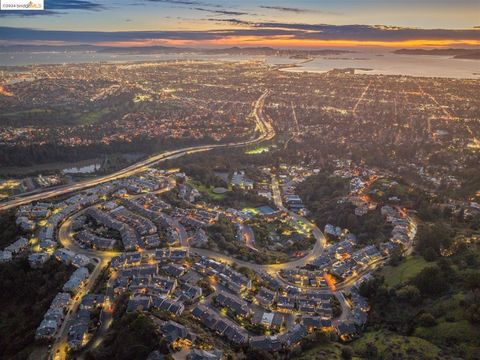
(431, 307)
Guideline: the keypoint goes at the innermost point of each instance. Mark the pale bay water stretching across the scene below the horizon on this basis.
(387, 63)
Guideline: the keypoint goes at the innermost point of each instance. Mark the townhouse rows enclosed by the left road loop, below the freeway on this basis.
(140, 220)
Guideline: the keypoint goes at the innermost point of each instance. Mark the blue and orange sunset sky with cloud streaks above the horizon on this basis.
(214, 23)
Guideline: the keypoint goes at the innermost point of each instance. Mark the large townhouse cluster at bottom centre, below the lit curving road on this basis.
(166, 282)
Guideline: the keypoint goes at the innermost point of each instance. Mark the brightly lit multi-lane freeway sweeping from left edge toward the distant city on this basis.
(265, 128)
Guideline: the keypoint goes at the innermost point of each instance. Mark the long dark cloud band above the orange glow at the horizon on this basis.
(265, 30)
